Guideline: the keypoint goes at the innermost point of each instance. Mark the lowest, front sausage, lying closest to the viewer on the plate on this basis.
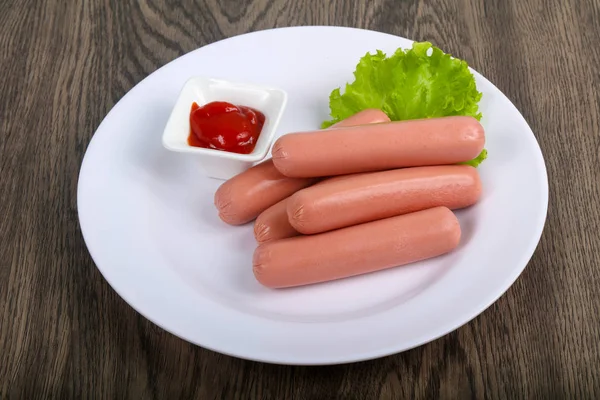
(356, 250)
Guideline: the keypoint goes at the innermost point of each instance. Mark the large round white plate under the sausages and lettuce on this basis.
(149, 222)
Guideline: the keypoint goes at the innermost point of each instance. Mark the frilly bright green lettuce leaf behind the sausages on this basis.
(422, 82)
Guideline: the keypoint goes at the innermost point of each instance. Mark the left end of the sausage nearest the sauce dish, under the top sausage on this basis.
(242, 198)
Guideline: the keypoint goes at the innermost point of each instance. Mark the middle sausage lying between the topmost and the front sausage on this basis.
(359, 198)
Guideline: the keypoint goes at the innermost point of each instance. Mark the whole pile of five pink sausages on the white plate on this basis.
(364, 195)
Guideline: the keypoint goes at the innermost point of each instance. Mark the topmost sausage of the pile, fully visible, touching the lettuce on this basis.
(436, 141)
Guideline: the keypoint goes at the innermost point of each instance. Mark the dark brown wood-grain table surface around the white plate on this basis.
(65, 333)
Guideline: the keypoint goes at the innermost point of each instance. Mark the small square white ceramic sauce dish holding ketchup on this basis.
(215, 163)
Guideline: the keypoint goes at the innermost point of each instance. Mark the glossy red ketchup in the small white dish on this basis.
(223, 126)
